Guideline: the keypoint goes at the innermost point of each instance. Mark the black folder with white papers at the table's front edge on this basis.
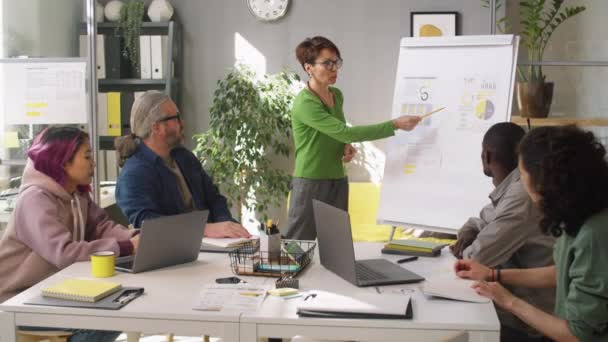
(333, 305)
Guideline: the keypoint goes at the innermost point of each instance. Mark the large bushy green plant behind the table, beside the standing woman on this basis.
(250, 123)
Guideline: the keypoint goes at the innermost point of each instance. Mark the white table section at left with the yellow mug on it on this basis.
(165, 307)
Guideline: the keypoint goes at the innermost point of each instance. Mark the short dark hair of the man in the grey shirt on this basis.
(503, 138)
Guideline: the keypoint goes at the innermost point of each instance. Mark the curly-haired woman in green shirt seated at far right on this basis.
(565, 172)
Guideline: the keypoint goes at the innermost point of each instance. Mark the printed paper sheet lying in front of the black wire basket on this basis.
(230, 298)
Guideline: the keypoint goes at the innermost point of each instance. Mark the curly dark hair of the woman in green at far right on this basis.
(568, 169)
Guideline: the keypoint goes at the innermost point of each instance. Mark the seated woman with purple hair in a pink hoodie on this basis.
(55, 223)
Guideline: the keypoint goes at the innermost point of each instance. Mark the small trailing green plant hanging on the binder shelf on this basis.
(131, 17)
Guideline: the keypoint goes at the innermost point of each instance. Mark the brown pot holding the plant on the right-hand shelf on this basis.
(534, 98)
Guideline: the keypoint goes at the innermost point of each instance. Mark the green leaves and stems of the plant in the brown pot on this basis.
(538, 23)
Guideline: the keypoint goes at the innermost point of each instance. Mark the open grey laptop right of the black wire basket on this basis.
(338, 254)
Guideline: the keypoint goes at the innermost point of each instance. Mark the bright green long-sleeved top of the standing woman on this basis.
(320, 134)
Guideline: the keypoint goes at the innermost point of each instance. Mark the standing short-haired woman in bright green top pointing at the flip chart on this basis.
(322, 138)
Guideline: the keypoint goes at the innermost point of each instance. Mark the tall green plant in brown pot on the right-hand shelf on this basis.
(538, 23)
